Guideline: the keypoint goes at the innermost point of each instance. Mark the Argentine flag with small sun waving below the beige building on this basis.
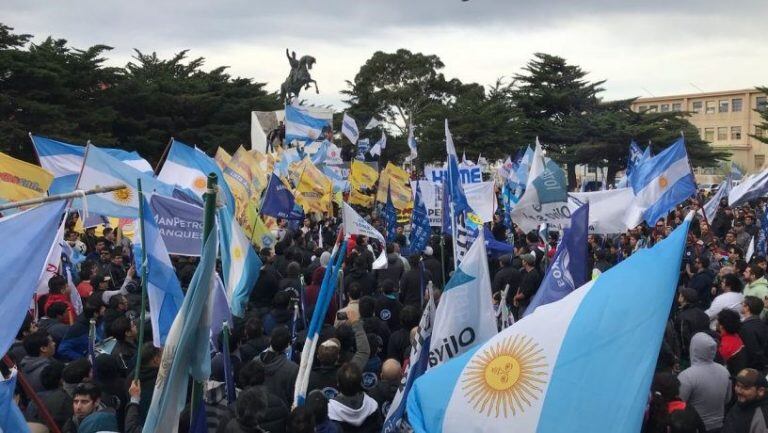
(661, 182)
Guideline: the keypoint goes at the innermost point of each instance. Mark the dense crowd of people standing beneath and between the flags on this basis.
(711, 370)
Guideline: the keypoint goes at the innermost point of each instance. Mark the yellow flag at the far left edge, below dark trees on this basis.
(21, 180)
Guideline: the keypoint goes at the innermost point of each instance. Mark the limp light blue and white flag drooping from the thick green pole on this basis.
(186, 351)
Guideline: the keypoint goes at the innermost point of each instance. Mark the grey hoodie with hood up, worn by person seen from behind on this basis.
(705, 385)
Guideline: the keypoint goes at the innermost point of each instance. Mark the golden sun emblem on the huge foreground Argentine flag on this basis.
(505, 378)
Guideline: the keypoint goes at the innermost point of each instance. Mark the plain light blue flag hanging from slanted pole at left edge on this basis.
(32, 233)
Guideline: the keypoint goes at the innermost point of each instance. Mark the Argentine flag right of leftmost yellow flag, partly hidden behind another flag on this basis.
(65, 160)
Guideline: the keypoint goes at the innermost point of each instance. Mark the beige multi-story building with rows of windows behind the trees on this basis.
(725, 119)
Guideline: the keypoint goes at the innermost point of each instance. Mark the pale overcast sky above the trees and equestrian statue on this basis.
(643, 48)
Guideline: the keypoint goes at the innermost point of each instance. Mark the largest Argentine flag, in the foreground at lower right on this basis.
(535, 374)
